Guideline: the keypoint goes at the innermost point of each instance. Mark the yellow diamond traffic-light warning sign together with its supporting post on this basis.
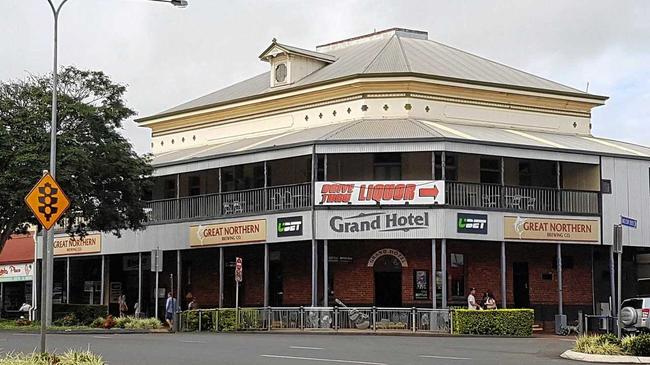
(48, 202)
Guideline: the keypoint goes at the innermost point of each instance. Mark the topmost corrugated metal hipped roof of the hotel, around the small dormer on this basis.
(395, 54)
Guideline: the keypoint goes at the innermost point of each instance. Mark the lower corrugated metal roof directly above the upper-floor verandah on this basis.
(405, 130)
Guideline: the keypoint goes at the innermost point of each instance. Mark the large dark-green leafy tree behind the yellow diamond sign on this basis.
(96, 166)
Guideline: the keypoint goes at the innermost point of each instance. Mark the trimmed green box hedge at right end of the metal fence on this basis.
(498, 322)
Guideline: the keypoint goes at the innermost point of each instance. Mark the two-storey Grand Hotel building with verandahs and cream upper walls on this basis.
(387, 170)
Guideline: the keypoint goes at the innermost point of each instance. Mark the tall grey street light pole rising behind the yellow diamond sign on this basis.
(47, 271)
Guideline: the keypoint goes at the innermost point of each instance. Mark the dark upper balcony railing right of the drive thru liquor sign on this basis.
(519, 198)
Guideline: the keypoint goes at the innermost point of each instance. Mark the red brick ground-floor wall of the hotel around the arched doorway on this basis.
(354, 282)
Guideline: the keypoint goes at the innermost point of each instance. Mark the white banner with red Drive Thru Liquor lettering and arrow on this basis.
(423, 192)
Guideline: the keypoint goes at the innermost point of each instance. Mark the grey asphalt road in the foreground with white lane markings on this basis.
(299, 349)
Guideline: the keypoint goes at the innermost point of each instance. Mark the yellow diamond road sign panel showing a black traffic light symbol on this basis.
(48, 201)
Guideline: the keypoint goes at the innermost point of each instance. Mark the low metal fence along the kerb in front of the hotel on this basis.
(368, 319)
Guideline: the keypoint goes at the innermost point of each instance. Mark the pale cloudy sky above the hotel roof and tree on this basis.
(168, 56)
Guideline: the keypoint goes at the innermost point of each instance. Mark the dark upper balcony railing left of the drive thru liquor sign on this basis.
(226, 204)
